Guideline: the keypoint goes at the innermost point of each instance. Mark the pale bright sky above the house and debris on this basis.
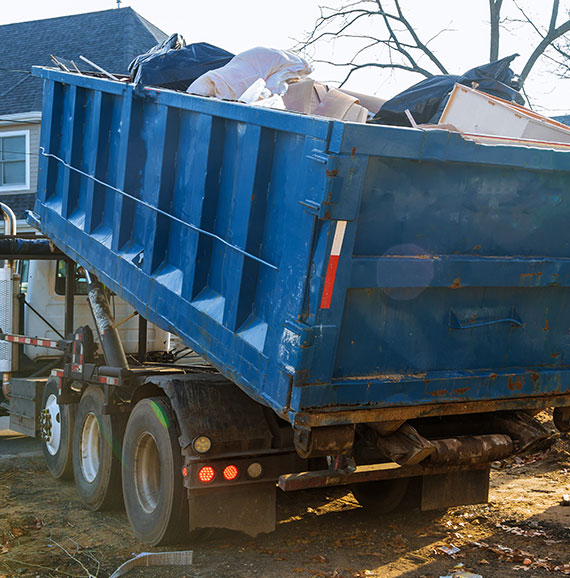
(239, 25)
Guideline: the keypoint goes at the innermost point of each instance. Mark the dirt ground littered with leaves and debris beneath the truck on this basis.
(523, 532)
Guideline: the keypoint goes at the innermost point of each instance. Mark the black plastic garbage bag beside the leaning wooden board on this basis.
(426, 100)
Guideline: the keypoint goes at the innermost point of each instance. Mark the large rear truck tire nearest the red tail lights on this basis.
(155, 497)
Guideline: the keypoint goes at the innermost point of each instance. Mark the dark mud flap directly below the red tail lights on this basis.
(249, 508)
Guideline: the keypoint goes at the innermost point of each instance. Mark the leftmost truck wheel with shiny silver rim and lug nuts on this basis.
(56, 429)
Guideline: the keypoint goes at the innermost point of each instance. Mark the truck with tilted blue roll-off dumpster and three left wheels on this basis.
(370, 306)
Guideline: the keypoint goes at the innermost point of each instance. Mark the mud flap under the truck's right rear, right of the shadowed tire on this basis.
(455, 489)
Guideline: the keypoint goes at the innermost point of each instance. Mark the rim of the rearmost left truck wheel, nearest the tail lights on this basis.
(147, 472)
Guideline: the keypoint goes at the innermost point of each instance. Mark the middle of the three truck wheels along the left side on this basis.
(97, 440)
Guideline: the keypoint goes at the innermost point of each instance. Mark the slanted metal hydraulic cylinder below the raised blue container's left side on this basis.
(113, 351)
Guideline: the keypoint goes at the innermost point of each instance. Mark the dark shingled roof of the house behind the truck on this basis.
(110, 38)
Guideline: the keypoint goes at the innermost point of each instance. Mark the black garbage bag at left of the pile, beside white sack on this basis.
(174, 65)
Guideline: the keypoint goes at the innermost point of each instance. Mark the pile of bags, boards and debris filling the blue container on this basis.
(484, 104)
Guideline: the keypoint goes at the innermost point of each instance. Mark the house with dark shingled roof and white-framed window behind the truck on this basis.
(110, 38)
